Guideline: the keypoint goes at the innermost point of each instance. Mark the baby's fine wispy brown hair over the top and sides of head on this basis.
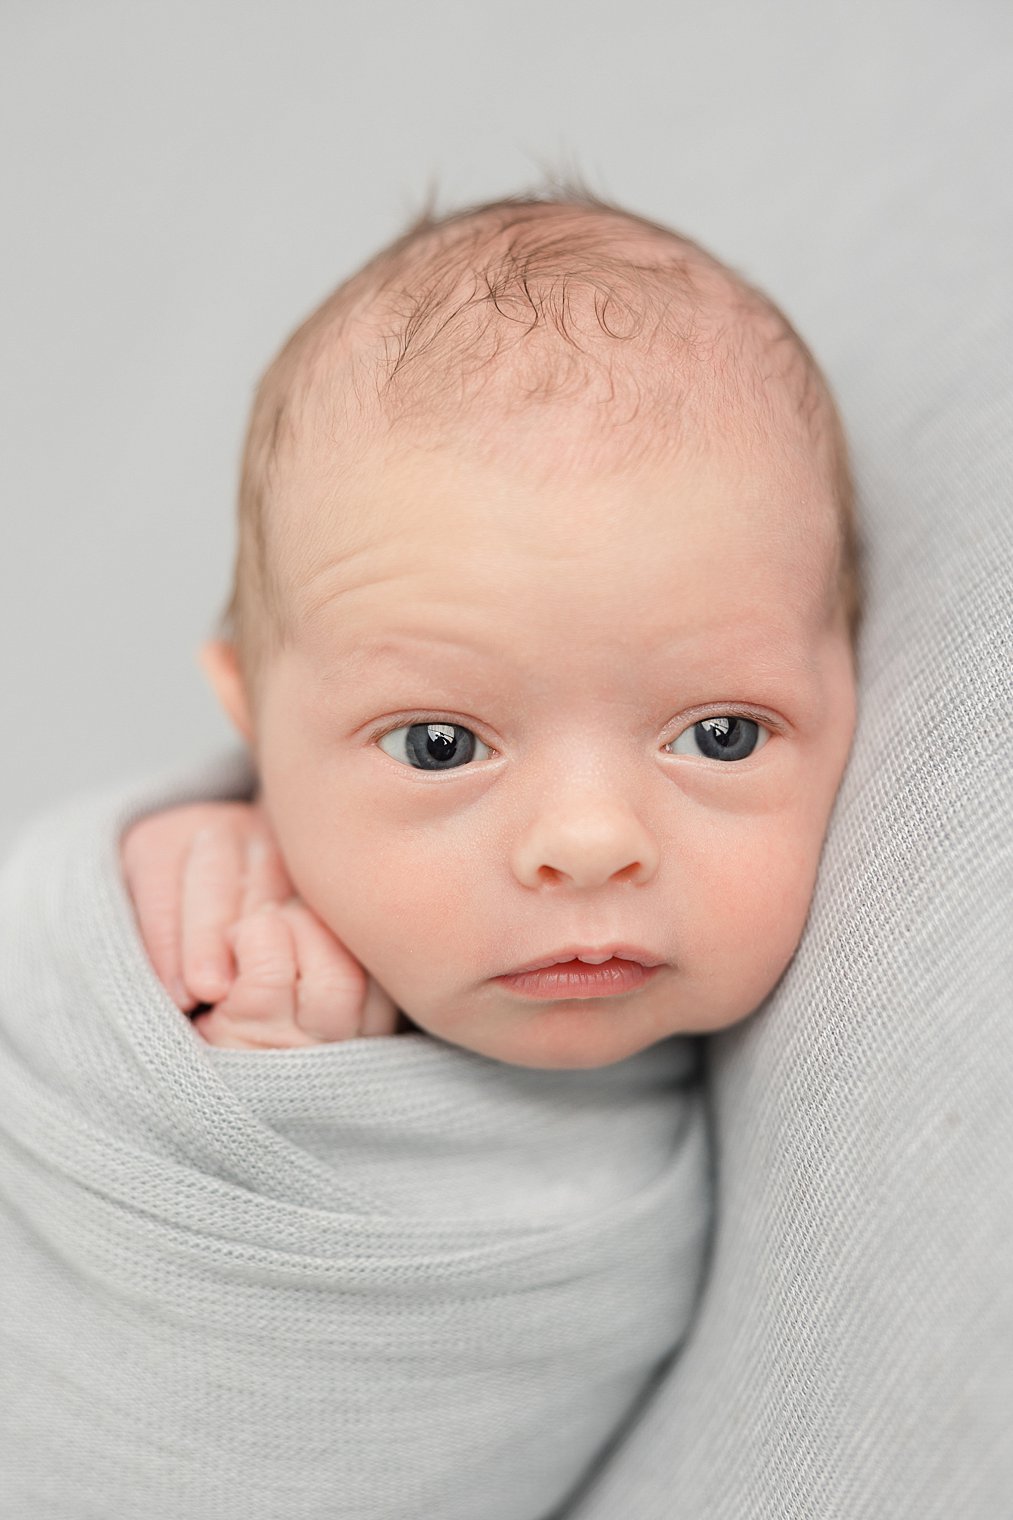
(449, 309)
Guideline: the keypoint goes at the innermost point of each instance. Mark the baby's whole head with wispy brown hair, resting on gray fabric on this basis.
(544, 622)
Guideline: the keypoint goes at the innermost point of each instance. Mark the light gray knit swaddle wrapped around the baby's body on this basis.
(376, 1279)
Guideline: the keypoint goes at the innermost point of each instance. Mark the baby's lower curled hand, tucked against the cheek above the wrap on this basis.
(297, 986)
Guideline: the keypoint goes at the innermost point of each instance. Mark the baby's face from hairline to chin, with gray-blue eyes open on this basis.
(498, 735)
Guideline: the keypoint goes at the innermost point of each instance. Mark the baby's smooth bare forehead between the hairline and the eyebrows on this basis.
(533, 513)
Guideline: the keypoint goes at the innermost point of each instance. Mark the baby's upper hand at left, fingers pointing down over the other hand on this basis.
(192, 873)
